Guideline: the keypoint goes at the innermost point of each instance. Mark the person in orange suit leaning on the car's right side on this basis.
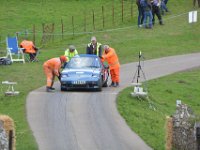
(111, 57)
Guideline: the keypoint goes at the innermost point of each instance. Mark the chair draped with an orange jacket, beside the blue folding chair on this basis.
(30, 49)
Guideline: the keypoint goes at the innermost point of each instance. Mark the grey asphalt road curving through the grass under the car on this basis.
(89, 120)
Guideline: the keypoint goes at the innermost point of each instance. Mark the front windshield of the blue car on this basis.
(84, 62)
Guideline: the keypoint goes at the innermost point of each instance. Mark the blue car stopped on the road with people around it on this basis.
(84, 72)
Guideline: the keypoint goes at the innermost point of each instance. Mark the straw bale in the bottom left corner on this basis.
(8, 125)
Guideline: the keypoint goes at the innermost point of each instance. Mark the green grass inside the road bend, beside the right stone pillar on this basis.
(163, 92)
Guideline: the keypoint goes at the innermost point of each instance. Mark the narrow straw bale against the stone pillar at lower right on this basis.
(169, 133)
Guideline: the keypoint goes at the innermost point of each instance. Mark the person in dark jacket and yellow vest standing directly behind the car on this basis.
(94, 47)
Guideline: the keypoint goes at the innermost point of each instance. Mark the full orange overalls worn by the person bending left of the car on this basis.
(51, 69)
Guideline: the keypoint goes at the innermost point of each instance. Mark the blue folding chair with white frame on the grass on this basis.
(13, 51)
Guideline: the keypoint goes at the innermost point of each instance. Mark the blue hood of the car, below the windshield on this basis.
(81, 72)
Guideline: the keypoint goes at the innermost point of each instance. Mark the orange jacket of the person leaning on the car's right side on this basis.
(112, 58)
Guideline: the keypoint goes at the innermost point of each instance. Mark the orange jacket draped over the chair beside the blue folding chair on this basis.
(28, 46)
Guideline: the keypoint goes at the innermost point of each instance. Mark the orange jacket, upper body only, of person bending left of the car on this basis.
(54, 65)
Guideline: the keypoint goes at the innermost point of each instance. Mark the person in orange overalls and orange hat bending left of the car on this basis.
(51, 69)
